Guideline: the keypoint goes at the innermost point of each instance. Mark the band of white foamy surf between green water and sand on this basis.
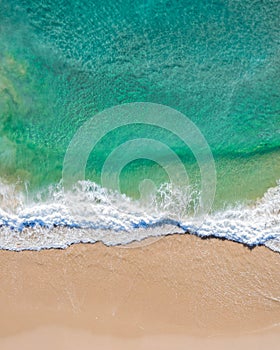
(90, 213)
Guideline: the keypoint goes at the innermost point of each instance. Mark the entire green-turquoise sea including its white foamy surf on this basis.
(124, 120)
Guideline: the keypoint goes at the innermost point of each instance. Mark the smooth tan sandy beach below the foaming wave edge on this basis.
(180, 292)
